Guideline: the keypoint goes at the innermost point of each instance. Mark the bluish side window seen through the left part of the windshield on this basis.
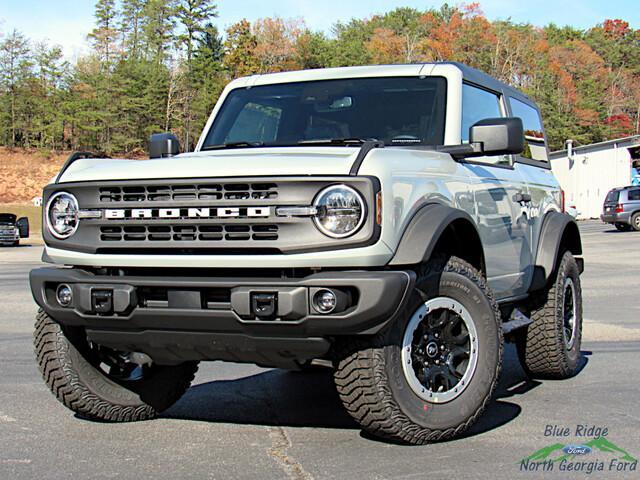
(255, 123)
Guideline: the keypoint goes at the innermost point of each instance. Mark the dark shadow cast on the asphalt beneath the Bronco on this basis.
(294, 399)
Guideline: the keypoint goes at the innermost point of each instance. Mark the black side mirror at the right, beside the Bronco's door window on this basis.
(498, 136)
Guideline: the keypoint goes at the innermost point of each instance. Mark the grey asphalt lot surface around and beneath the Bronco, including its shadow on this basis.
(241, 421)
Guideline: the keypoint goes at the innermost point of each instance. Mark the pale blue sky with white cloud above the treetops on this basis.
(67, 22)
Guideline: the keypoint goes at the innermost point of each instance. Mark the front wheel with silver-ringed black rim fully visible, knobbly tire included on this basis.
(432, 372)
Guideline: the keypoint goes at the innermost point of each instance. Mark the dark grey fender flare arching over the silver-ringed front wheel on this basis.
(425, 230)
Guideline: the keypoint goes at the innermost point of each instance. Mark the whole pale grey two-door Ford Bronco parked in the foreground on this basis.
(398, 222)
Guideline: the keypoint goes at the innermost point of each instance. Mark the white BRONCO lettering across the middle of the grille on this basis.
(164, 213)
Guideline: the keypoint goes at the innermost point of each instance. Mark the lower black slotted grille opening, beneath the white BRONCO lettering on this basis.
(188, 233)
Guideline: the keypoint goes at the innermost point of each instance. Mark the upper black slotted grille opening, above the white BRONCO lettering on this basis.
(189, 192)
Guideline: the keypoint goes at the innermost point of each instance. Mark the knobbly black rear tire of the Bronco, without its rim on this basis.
(541, 347)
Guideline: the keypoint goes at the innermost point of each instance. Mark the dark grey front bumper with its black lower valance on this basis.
(179, 318)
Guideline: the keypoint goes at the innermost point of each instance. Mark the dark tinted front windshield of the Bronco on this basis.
(396, 110)
